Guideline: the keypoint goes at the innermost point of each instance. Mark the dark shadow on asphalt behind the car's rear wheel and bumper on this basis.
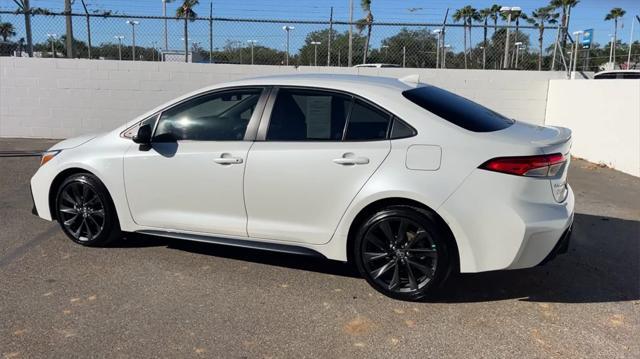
(602, 265)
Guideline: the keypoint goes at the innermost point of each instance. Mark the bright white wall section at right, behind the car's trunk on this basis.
(604, 116)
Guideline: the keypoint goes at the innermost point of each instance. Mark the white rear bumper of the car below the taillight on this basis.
(507, 222)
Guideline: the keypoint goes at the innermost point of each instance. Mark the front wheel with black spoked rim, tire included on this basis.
(86, 212)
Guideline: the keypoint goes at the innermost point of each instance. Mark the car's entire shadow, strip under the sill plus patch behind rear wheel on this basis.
(602, 265)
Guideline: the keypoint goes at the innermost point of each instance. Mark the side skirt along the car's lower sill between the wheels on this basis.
(243, 243)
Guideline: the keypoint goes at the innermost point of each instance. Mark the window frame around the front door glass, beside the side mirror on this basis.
(252, 126)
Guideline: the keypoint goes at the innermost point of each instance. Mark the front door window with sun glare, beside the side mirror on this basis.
(221, 116)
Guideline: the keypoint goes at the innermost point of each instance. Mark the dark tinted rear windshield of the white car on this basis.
(457, 109)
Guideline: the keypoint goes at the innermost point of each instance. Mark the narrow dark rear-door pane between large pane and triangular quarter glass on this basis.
(367, 123)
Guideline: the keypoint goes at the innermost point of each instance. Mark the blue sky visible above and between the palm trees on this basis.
(588, 14)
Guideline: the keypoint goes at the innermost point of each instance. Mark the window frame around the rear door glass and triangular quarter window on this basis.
(270, 103)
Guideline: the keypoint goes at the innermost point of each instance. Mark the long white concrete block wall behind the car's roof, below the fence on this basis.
(59, 98)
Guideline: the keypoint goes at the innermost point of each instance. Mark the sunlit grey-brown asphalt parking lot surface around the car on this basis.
(153, 297)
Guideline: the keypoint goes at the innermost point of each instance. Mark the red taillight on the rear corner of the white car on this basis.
(529, 166)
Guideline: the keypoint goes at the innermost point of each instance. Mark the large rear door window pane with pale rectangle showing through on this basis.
(308, 115)
